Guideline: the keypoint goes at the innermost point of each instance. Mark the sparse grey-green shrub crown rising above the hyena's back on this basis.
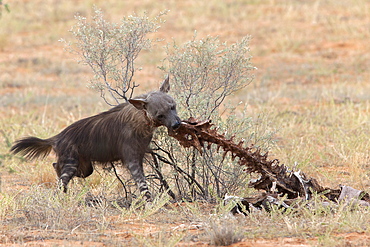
(111, 50)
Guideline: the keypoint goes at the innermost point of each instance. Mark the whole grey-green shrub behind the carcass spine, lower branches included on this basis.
(207, 72)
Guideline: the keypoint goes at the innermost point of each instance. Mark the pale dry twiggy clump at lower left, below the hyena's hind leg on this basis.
(51, 209)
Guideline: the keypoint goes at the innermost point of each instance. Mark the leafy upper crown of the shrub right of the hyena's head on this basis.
(207, 71)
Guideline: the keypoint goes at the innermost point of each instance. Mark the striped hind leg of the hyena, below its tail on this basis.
(68, 169)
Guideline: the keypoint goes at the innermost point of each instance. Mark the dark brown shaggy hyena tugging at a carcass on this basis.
(121, 134)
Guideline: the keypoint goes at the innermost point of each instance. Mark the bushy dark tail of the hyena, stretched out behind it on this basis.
(32, 147)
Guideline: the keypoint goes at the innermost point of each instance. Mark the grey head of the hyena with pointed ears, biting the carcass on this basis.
(160, 107)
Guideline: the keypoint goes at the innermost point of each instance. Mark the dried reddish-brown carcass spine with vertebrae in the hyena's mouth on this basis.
(274, 177)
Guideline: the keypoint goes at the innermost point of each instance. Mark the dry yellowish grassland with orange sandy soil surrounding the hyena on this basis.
(311, 85)
